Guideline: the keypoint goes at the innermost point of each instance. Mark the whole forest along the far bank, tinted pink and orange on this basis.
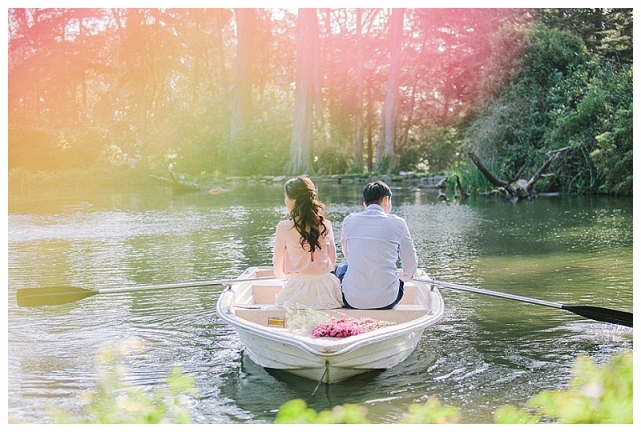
(246, 92)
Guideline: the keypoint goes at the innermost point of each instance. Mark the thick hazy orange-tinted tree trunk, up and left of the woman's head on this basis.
(241, 102)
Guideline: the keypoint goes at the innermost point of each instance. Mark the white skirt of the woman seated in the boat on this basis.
(311, 291)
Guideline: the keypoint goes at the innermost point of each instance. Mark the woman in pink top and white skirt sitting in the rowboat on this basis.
(304, 251)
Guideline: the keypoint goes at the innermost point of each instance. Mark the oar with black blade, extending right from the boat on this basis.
(593, 312)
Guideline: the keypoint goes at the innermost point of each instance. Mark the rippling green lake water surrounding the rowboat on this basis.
(485, 353)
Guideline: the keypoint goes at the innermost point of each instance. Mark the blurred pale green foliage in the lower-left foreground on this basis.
(117, 402)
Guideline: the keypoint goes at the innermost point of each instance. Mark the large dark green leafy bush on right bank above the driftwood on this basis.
(562, 96)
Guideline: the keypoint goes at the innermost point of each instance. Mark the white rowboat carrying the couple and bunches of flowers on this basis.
(249, 308)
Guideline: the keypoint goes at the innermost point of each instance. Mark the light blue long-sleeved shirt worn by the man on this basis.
(372, 242)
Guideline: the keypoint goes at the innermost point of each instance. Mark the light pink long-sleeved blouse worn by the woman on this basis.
(289, 257)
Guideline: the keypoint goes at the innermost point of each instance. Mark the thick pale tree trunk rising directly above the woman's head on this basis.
(300, 160)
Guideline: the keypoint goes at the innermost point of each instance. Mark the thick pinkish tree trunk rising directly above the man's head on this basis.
(389, 115)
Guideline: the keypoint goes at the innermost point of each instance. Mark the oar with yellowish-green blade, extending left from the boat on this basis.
(56, 295)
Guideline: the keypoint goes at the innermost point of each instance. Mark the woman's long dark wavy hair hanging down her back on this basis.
(308, 213)
